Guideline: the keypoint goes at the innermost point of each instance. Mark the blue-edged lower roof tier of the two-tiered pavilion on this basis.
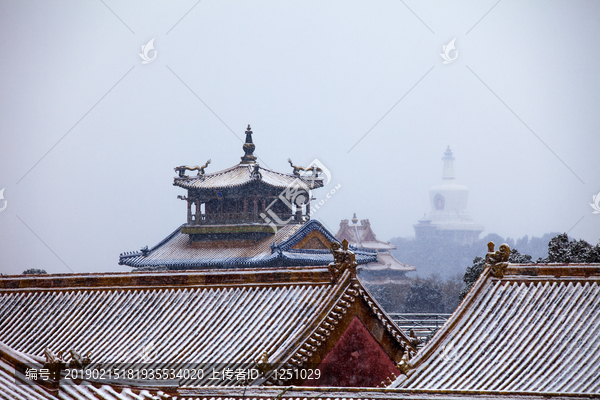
(297, 245)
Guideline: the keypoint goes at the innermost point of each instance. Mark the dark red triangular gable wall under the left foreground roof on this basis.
(356, 360)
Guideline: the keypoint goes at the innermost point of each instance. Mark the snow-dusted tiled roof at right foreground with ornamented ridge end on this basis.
(523, 328)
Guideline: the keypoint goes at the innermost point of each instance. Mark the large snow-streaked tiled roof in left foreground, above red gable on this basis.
(210, 316)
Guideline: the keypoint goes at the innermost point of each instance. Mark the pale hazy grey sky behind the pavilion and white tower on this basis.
(519, 108)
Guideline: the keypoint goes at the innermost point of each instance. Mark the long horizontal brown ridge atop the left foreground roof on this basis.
(164, 279)
